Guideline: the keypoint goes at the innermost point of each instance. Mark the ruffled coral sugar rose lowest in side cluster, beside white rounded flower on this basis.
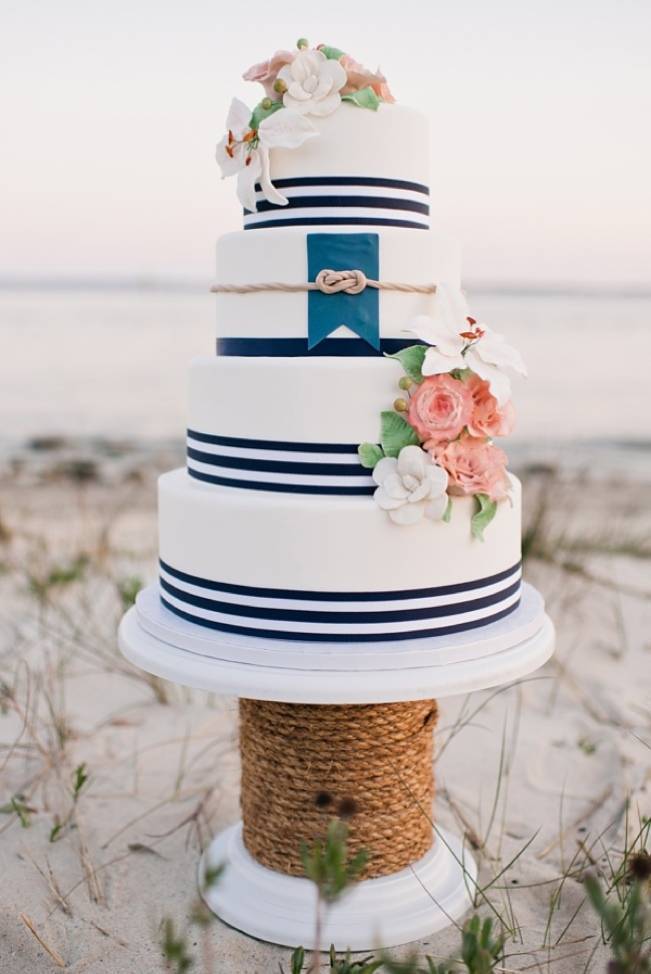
(474, 466)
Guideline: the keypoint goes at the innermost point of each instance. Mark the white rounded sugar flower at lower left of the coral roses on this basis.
(411, 486)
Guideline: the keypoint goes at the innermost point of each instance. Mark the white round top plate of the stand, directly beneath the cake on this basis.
(159, 642)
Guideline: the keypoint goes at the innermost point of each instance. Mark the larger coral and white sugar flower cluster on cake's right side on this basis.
(437, 442)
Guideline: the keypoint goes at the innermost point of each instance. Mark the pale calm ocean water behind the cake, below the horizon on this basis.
(113, 362)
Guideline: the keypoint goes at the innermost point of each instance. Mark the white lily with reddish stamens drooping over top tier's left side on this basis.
(245, 151)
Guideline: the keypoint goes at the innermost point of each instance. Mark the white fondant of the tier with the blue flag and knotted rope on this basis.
(254, 257)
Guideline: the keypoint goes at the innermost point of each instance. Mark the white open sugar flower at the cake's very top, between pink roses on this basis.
(313, 83)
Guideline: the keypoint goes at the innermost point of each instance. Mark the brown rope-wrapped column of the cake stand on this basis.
(302, 764)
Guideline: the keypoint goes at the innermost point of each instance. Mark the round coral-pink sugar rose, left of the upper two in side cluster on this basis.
(440, 408)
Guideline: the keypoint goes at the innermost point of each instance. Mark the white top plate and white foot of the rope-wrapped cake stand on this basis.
(382, 912)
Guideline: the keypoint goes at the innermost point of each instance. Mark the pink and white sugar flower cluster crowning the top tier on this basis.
(297, 84)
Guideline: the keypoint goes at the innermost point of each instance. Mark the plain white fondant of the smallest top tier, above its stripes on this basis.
(391, 143)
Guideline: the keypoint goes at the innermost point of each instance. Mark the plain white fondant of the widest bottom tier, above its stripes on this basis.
(338, 544)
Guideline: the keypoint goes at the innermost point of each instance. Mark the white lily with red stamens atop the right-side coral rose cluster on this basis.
(461, 343)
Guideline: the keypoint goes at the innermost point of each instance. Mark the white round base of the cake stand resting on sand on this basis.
(384, 912)
